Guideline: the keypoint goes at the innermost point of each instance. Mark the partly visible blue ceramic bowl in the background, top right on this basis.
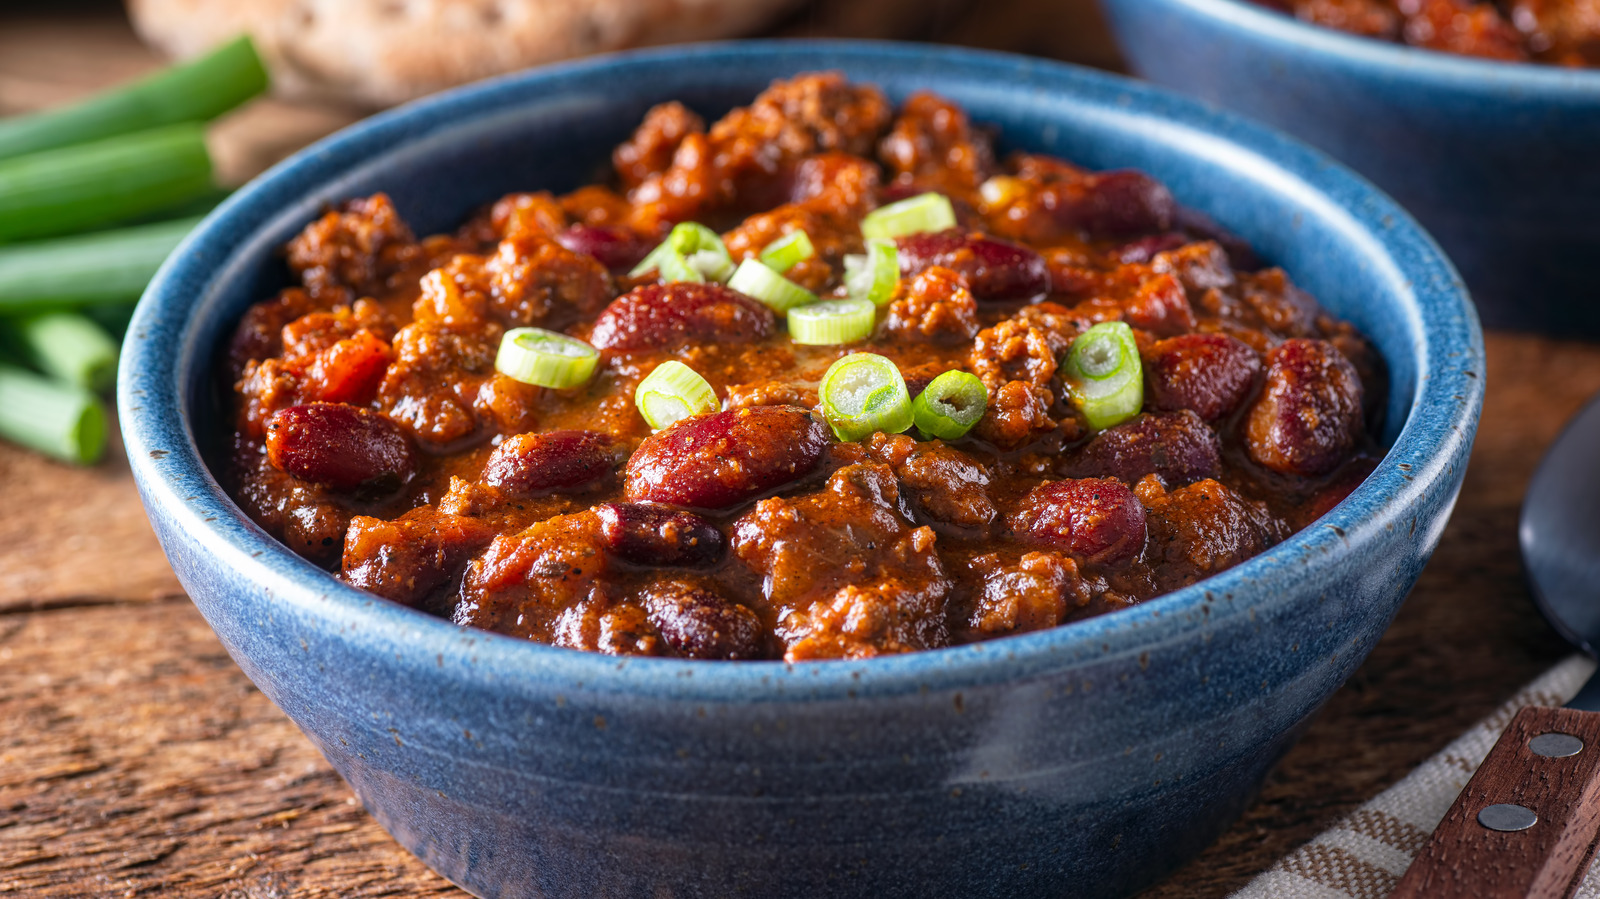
(1502, 162)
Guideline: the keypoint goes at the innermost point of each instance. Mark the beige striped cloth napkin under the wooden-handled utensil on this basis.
(1366, 853)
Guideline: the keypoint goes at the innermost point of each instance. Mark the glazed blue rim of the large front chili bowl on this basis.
(177, 485)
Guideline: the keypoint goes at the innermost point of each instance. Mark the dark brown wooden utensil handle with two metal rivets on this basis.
(1466, 860)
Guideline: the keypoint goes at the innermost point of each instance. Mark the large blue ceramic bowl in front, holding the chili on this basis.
(1086, 761)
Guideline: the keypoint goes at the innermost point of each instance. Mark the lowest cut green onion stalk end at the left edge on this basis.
(54, 418)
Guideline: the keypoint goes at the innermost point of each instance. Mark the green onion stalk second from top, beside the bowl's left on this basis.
(103, 183)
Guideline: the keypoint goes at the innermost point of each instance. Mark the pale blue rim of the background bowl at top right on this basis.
(1468, 74)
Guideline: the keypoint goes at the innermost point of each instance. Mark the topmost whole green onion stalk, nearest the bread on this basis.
(193, 92)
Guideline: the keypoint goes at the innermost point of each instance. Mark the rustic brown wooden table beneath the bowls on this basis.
(138, 761)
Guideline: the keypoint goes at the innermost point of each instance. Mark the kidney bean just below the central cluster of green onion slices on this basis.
(681, 313)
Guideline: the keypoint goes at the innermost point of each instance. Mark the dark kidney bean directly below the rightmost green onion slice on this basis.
(1178, 447)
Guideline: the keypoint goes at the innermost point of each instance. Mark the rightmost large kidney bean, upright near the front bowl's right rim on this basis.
(1310, 412)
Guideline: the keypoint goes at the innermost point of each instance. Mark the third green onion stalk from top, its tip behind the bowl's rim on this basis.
(111, 266)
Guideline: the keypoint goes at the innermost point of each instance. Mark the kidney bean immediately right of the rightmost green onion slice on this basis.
(1210, 375)
